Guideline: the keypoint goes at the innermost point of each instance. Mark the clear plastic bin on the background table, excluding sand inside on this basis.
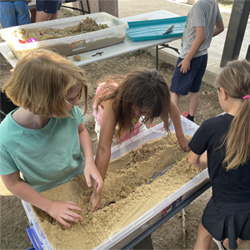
(71, 45)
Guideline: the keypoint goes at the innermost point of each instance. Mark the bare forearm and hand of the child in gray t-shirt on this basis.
(198, 41)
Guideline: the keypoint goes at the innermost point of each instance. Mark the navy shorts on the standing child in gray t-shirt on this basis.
(191, 81)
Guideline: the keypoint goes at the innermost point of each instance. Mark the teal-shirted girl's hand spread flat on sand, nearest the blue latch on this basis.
(64, 211)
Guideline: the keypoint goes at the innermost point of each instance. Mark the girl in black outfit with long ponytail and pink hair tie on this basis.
(226, 141)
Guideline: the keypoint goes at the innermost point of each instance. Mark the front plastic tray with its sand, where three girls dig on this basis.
(146, 176)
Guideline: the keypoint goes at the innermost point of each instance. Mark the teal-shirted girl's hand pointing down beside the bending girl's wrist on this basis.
(91, 170)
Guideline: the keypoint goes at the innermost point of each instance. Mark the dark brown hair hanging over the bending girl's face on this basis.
(145, 89)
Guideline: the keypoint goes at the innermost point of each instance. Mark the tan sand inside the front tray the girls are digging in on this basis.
(129, 192)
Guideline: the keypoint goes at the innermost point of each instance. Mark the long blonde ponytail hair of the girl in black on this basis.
(235, 80)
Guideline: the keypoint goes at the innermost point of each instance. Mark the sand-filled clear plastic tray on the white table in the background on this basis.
(61, 36)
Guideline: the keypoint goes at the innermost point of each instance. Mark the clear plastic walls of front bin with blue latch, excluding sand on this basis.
(130, 232)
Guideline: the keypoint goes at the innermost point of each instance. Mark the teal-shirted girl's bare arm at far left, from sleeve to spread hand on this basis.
(62, 211)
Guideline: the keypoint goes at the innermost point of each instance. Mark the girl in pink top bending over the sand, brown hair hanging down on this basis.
(121, 109)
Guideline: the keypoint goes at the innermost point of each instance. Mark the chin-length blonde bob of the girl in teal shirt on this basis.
(41, 81)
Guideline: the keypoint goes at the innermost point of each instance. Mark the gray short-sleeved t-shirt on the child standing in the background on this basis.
(204, 13)
